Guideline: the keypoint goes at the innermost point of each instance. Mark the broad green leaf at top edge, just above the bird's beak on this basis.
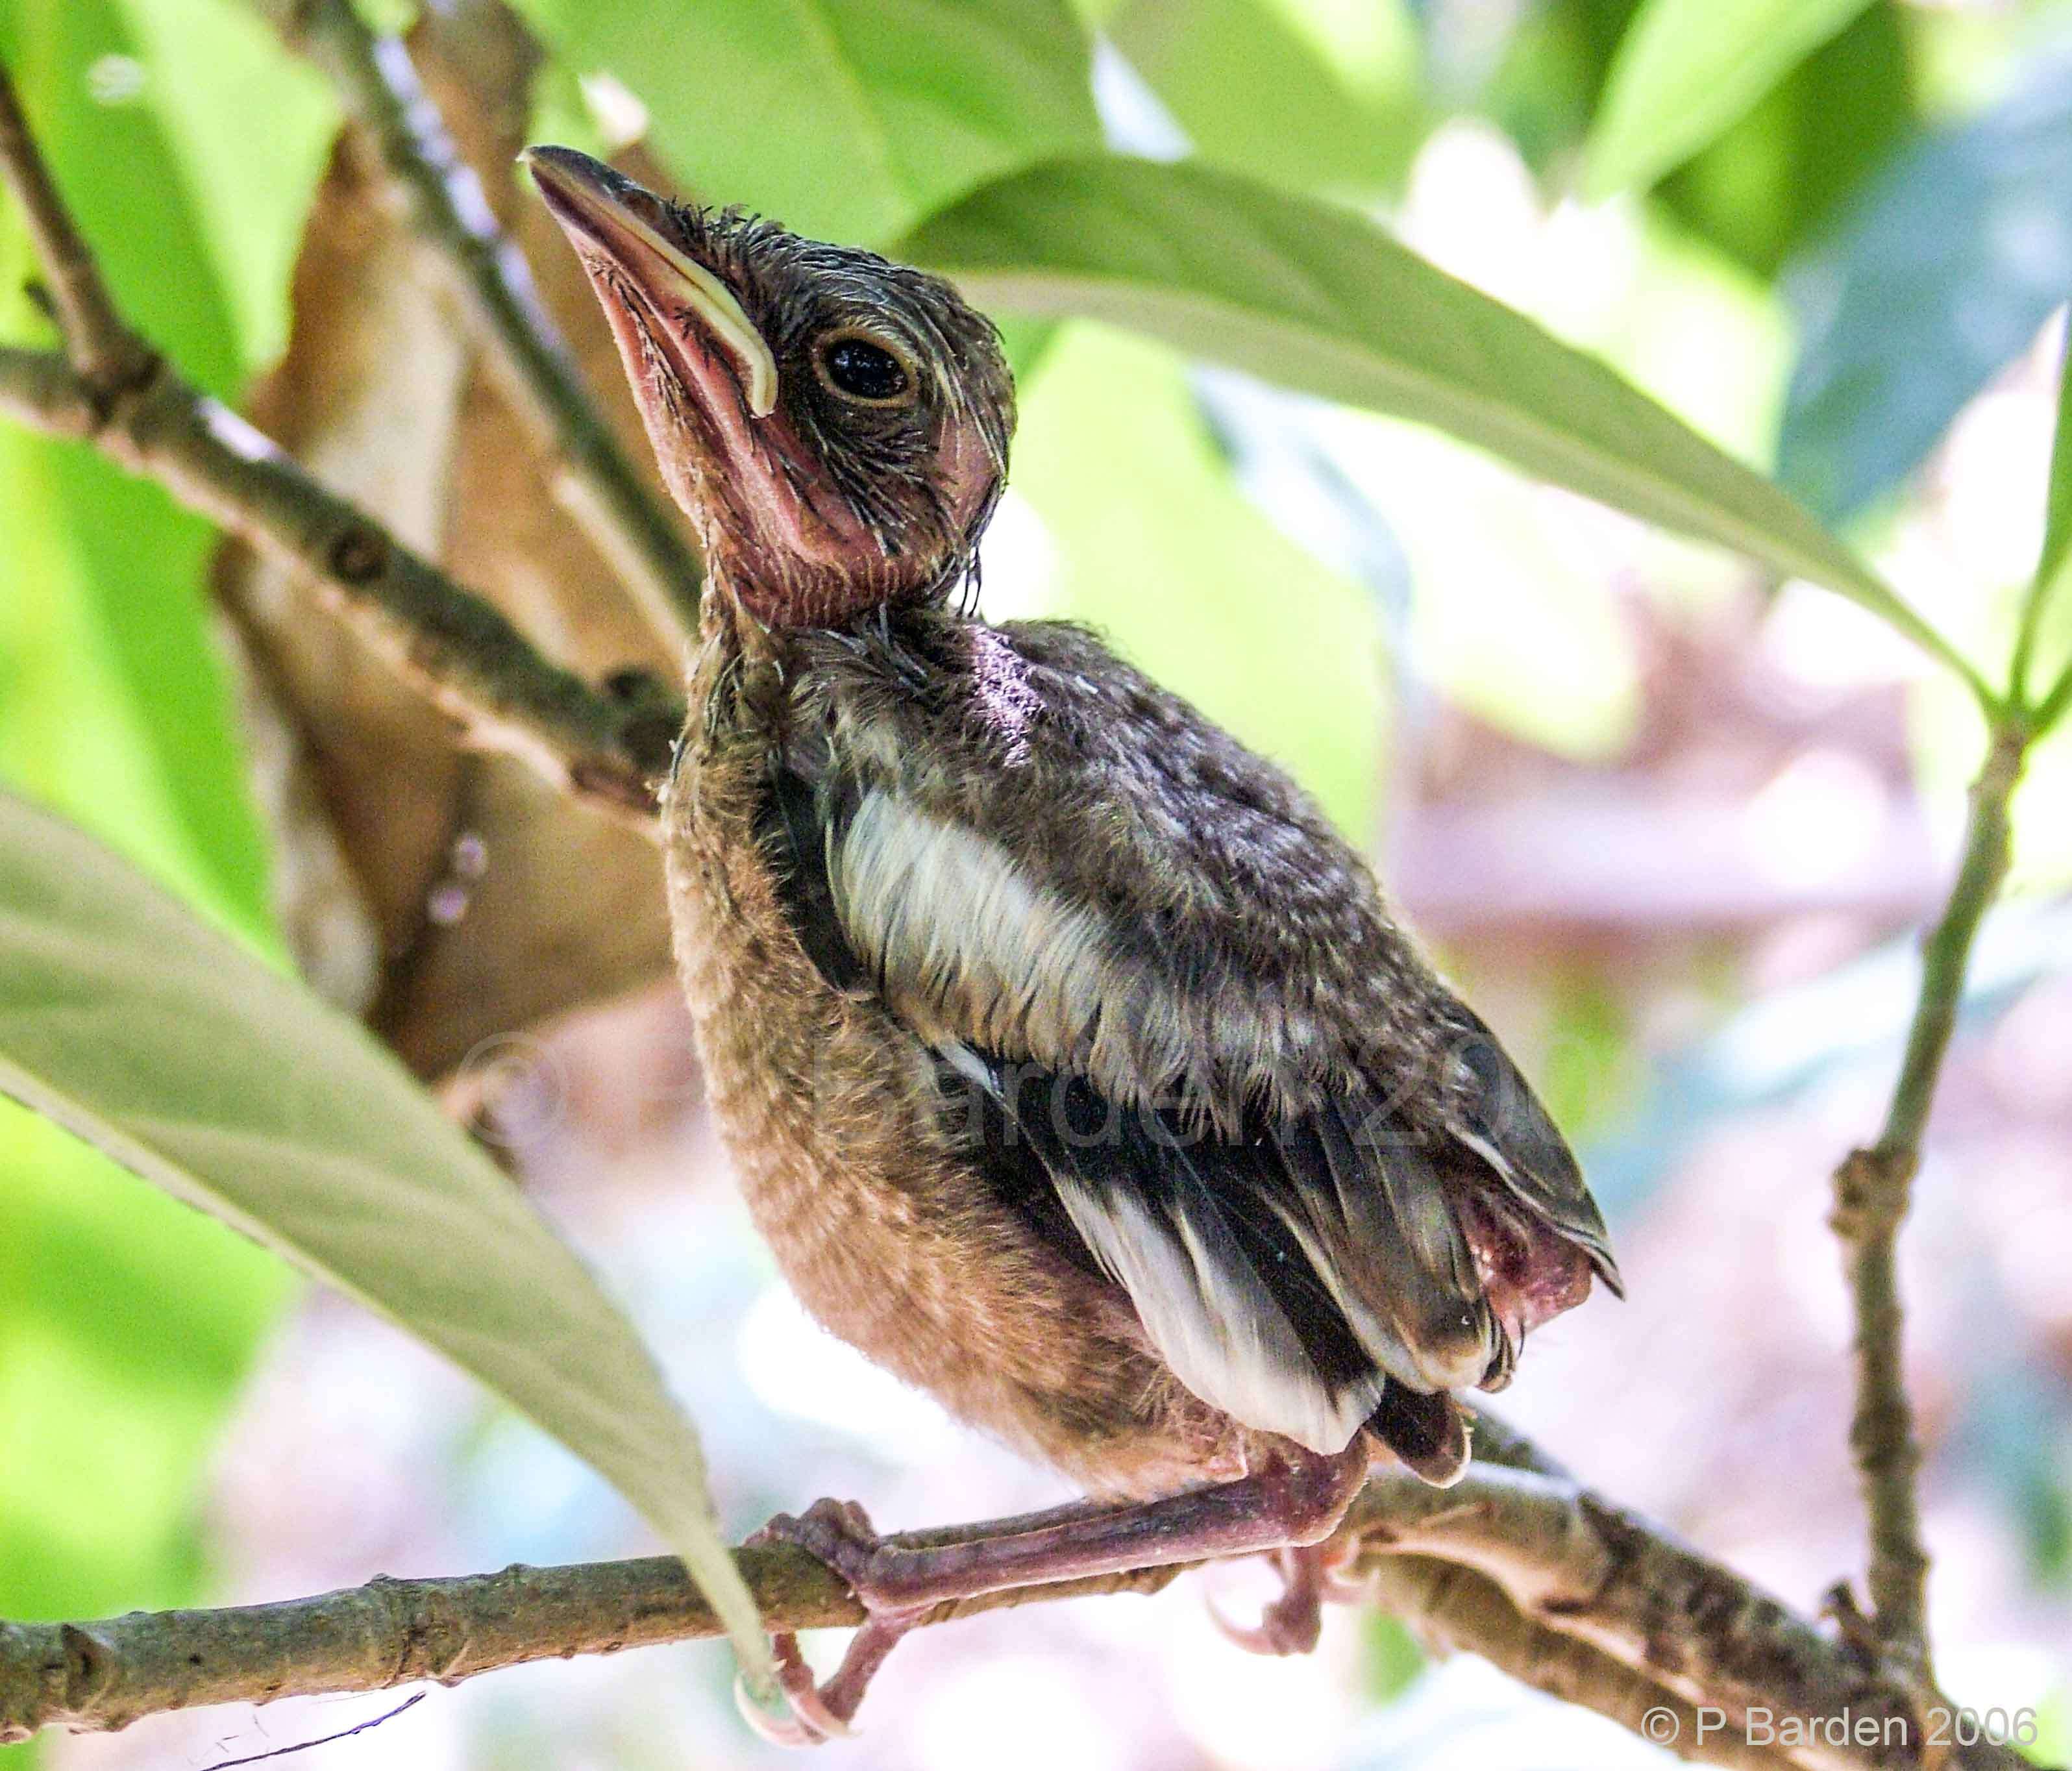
(844, 119)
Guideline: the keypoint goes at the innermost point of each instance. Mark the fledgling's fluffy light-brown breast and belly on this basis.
(873, 1211)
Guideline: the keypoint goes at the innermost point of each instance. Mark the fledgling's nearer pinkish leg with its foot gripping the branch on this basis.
(1288, 1505)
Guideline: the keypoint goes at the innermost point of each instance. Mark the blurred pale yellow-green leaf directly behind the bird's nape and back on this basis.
(1161, 552)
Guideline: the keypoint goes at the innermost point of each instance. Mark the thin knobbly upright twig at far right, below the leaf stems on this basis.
(1870, 1204)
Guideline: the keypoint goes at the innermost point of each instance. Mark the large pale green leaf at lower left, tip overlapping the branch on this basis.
(167, 1047)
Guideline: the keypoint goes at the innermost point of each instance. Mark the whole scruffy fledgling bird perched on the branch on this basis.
(1074, 1068)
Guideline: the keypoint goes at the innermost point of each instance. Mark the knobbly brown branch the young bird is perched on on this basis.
(1532, 1571)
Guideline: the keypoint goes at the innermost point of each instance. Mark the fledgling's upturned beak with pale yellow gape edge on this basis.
(639, 254)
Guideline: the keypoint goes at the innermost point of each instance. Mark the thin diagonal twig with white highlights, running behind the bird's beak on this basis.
(380, 88)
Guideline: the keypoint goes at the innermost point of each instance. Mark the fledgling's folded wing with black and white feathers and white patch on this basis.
(1300, 1271)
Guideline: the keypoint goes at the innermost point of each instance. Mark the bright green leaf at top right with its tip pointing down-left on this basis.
(1688, 69)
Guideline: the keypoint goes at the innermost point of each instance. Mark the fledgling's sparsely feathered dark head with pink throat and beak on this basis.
(836, 426)
